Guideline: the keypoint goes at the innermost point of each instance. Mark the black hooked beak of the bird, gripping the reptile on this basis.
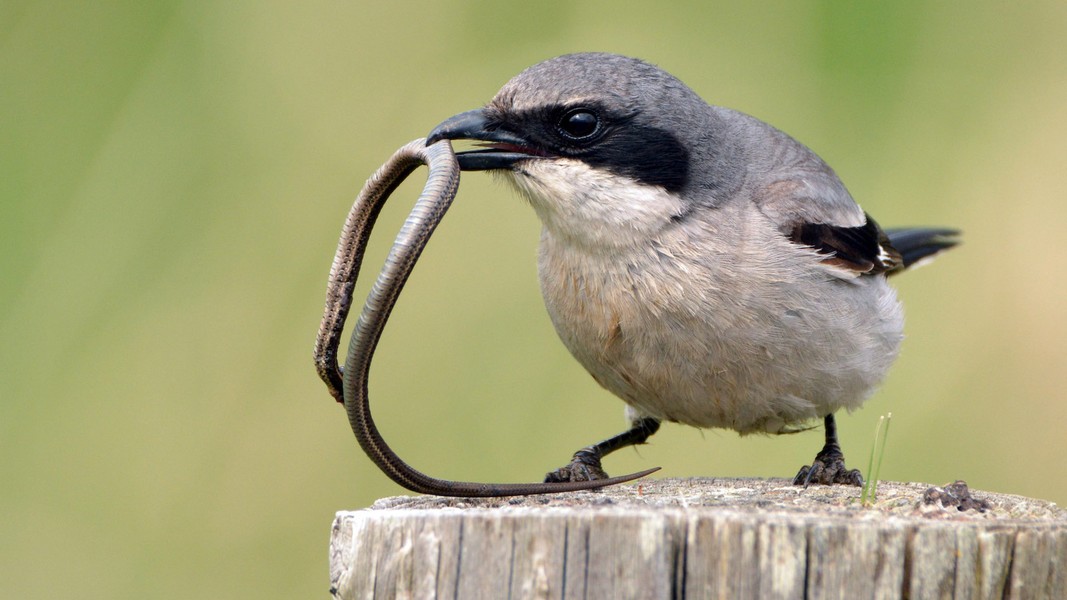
(503, 149)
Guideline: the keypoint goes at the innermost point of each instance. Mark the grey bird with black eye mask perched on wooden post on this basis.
(702, 265)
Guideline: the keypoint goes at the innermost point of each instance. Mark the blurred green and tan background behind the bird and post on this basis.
(174, 176)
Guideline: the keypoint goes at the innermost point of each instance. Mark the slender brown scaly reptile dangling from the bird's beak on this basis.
(349, 386)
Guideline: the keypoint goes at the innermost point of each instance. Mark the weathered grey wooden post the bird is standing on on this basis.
(702, 539)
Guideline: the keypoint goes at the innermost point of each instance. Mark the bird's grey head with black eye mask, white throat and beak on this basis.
(601, 145)
